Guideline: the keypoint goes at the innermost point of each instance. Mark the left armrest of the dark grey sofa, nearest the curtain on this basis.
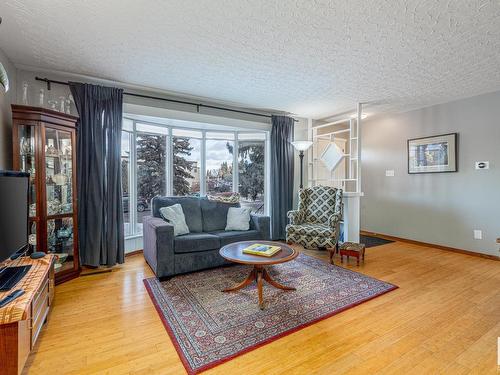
(158, 236)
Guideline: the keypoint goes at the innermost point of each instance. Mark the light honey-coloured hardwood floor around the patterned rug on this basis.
(443, 319)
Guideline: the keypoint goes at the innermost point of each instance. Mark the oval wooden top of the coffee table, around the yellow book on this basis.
(234, 253)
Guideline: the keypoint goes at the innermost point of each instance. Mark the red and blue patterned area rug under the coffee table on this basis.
(209, 327)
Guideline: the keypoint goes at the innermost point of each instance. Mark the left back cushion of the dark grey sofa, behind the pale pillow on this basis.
(190, 207)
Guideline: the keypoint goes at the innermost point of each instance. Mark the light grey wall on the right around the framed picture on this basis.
(440, 208)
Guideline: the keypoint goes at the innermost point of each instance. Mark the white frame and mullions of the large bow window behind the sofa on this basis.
(135, 233)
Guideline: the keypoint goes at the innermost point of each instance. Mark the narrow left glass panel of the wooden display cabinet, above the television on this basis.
(27, 162)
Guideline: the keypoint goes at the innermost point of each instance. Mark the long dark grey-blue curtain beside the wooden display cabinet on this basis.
(100, 212)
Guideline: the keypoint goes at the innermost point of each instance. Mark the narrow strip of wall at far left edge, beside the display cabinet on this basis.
(6, 99)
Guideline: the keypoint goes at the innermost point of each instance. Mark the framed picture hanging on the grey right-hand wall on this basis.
(436, 154)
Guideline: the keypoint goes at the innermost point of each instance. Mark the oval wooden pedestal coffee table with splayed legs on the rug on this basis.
(234, 253)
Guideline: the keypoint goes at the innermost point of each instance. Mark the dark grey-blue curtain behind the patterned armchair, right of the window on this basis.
(281, 174)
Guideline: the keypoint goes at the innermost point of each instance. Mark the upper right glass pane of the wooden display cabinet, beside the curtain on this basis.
(58, 172)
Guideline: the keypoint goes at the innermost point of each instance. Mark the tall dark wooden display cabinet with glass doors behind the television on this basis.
(44, 145)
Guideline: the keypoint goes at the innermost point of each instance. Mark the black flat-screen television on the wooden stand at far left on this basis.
(13, 226)
